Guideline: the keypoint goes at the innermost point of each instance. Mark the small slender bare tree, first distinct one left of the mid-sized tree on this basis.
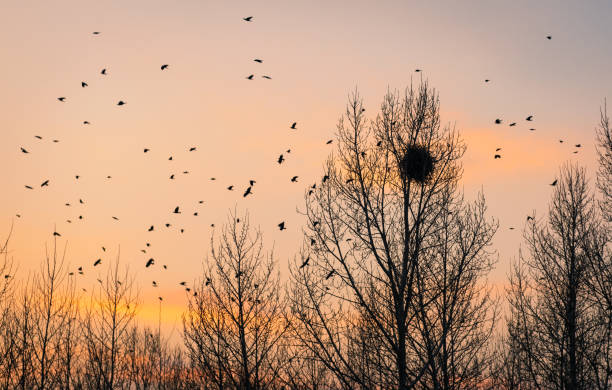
(106, 325)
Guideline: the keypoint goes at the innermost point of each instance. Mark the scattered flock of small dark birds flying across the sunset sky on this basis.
(248, 191)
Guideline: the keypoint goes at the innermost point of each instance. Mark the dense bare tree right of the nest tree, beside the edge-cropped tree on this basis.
(557, 331)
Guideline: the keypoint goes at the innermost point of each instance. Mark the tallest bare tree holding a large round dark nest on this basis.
(392, 251)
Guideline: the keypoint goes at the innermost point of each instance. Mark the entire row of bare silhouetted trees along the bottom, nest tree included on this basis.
(387, 291)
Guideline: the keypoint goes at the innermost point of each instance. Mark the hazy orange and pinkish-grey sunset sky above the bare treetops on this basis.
(316, 53)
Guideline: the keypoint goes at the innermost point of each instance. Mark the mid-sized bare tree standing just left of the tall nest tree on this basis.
(235, 318)
